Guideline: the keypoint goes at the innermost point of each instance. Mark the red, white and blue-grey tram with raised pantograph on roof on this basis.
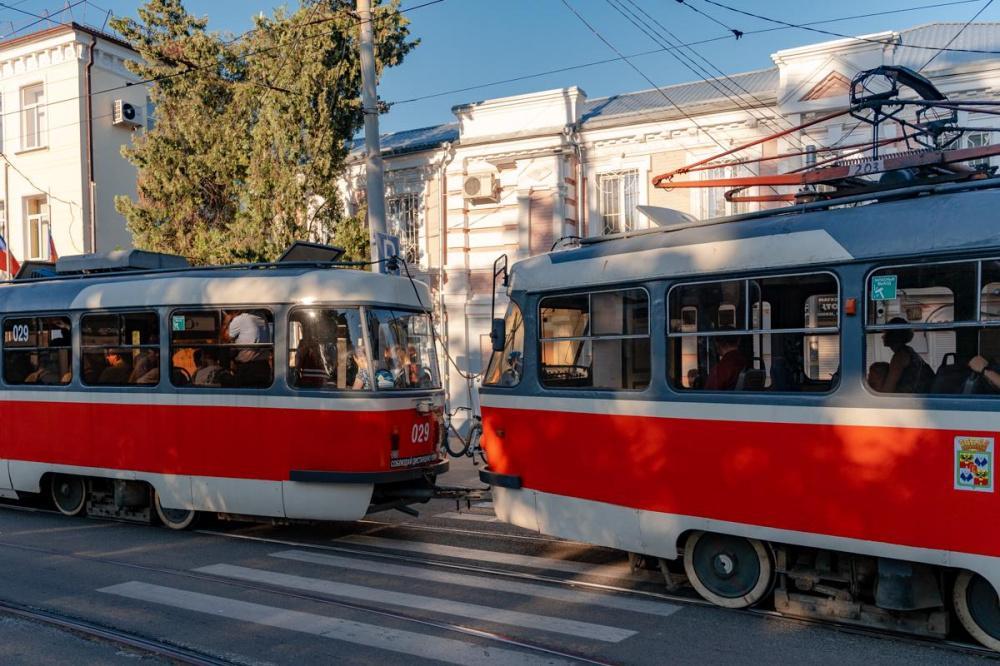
(797, 406)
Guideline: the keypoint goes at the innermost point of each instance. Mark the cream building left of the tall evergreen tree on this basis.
(65, 113)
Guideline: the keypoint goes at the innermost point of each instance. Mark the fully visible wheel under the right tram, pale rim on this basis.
(729, 571)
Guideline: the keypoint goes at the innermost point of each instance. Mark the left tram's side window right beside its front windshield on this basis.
(326, 350)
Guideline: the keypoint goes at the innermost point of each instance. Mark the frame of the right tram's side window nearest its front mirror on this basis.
(588, 338)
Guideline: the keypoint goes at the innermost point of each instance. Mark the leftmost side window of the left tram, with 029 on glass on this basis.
(37, 350)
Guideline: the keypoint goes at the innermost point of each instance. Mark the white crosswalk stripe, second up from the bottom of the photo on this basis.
(446, 606)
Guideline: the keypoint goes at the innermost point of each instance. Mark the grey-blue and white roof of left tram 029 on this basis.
(267, 286)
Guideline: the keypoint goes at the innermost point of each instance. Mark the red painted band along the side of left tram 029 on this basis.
(233, 442)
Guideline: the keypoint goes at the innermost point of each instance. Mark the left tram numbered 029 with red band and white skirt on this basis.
(288, 391)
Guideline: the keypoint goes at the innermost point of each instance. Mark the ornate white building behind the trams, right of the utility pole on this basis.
(513, 175)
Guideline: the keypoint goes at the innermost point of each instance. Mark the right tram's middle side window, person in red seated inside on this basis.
(770, 333)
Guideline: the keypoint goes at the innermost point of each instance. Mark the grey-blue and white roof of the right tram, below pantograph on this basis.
(933, 221)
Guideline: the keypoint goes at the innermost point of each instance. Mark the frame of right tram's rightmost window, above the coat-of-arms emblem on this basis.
(947, 380)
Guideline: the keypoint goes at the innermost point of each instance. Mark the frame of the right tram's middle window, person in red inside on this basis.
(753, 327)
